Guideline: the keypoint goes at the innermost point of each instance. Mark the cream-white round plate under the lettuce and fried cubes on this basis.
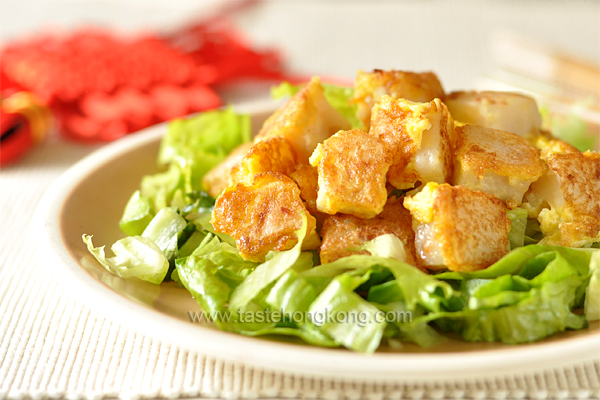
(90, 197)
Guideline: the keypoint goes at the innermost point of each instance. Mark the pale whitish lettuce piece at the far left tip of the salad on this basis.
(135, 257)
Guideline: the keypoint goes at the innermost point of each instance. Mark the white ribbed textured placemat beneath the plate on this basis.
(52, 346)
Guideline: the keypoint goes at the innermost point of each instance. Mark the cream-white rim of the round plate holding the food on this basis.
(273, 355)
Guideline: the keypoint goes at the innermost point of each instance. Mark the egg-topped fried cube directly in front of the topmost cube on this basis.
(418, 136)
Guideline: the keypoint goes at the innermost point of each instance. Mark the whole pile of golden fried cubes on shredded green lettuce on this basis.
(386, 213)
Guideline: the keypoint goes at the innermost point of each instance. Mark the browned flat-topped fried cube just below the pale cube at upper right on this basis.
(500, 163)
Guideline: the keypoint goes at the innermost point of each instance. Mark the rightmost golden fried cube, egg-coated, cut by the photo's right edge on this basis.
(567, 199)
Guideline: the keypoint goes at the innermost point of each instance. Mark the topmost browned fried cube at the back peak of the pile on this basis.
(370, 87)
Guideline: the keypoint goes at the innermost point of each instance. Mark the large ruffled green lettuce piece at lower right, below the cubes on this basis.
(526, 296)
